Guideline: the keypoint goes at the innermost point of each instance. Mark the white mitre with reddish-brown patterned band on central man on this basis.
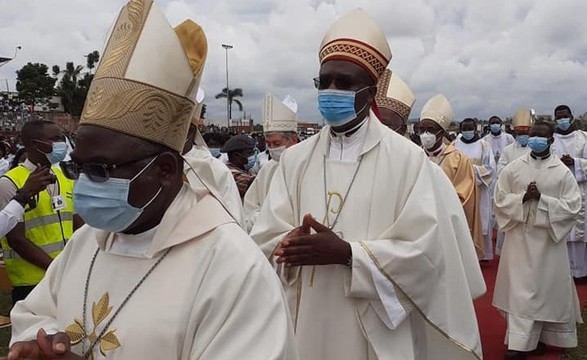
(358, 38)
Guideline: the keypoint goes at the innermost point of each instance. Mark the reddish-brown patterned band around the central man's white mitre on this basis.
(370, 58)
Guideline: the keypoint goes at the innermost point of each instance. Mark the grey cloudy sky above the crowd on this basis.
(487, 57)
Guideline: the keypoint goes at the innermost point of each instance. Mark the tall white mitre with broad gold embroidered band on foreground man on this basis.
(148, 76)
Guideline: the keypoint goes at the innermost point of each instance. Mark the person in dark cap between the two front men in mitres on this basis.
(242, 157)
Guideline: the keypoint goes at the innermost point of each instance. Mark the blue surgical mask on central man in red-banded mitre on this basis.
(338, 106)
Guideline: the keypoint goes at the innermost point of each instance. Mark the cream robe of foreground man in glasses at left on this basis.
(214, 296)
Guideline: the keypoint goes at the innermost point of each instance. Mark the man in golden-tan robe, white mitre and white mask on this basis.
(435, 119)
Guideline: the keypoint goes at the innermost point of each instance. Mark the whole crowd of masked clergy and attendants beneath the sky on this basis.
(145, 238)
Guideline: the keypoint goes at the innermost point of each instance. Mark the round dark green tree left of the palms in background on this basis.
(34, 84)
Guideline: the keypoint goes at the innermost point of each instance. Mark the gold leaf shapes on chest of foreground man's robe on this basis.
(100, 312)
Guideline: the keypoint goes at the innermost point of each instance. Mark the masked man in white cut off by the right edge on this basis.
(570, 145)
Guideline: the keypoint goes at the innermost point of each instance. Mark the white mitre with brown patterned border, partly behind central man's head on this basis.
(394, 94)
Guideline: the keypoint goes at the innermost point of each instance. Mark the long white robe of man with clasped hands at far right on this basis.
(533, 279)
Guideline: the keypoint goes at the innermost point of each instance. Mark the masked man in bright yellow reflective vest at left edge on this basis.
(49, 222)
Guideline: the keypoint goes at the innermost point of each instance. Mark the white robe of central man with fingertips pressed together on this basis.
(408, 294)
